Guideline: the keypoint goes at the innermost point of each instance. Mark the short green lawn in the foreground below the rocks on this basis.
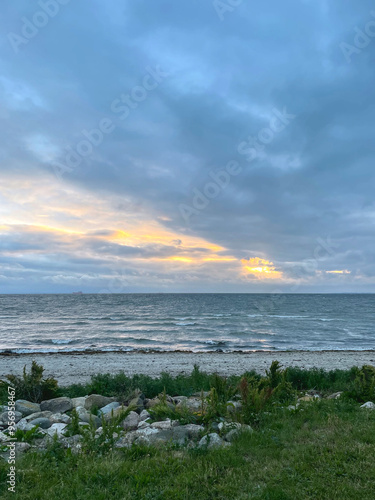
(323, 451)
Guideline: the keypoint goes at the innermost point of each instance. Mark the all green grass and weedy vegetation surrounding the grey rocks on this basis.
(322, 450)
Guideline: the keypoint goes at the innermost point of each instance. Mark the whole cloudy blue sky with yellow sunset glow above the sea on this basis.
(173, 146)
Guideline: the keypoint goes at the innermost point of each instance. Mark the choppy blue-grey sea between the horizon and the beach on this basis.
(191, 322)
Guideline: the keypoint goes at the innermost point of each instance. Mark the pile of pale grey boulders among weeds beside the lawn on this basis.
(51, 419)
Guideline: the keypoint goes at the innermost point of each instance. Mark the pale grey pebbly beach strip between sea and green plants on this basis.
(73, 368)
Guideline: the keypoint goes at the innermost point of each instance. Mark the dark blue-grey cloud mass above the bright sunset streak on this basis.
(313, 181)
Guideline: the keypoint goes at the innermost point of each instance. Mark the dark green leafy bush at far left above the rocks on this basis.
(32, 386)
